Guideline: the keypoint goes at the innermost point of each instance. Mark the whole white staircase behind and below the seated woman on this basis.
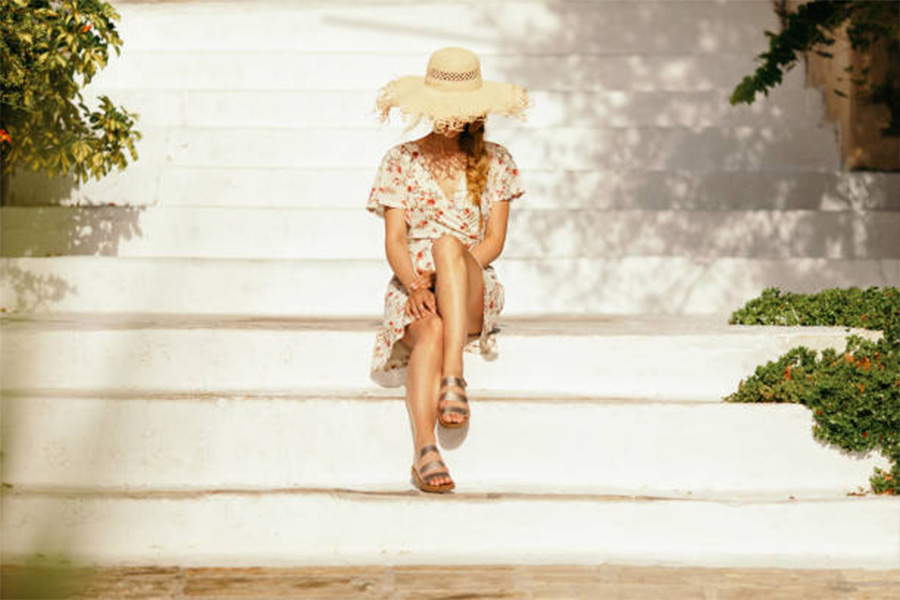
(185, 348)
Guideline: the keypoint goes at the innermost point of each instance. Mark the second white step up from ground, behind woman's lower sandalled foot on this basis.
(512, 445)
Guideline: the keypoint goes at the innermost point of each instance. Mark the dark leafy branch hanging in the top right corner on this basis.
(809, 28)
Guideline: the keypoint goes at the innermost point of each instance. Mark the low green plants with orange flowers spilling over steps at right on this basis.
(854, 395)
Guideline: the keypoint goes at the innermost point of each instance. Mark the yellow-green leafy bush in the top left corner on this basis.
(48, 51)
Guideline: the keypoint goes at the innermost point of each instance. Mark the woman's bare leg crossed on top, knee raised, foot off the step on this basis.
(459, 289)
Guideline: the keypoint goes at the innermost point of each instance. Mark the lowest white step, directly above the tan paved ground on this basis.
(338, 527)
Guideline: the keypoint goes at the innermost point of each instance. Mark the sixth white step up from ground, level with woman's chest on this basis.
(628, 188)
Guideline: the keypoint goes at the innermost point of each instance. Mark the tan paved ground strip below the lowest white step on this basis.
(455, 583)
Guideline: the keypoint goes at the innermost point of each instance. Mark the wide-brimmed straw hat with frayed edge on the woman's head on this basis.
(451, 93)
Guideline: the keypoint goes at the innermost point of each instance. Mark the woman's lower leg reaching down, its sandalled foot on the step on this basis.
(425, 337)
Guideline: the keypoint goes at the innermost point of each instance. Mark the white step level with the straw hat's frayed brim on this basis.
(787, 106)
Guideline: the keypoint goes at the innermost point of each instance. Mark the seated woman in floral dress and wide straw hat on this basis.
(444, 199)
